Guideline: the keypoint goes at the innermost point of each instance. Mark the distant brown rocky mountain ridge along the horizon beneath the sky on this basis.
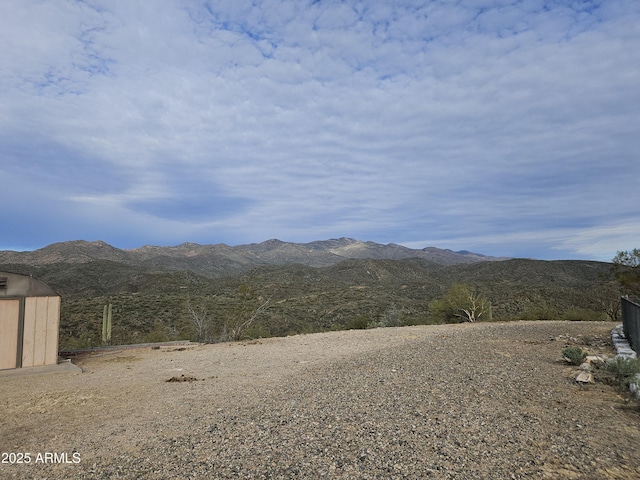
(217, 260)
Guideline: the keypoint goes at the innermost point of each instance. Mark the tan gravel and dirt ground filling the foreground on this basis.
(490, 401)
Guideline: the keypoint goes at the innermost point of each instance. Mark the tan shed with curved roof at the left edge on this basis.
(29, 322)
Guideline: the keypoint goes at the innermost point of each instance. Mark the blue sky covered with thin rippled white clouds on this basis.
(507, 128)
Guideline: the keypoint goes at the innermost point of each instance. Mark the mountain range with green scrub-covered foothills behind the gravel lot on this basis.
(310, 287)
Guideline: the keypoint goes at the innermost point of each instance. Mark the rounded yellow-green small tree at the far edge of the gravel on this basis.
(460, 303)
